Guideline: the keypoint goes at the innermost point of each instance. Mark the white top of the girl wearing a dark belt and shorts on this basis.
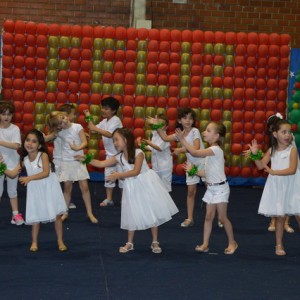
(214, 166)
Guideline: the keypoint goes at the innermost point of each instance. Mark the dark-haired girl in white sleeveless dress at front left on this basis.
(44, 201)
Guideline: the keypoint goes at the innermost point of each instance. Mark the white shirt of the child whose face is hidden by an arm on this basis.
(161, 160)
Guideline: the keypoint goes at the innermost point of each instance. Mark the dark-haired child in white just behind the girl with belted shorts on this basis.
(186, 121)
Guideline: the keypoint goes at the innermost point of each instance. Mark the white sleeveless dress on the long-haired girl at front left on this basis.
(44, 200)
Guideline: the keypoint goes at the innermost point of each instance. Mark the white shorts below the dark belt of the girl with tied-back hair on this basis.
(217, 194)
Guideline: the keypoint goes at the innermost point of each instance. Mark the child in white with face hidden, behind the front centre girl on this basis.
(161, 157)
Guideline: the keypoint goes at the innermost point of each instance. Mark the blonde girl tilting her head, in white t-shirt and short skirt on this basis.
(73, 141)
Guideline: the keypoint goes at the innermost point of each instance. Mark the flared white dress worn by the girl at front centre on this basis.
(145, 201)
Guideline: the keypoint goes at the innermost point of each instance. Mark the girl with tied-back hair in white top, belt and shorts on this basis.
(217, 193)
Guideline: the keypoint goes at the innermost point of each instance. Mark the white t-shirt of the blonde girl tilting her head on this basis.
(70, 136)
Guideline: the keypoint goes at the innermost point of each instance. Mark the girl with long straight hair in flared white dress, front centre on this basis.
(145, 201)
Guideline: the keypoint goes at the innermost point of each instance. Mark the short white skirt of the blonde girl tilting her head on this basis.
(73, 171)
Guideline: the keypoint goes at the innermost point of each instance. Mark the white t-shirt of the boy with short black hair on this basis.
(110, 125)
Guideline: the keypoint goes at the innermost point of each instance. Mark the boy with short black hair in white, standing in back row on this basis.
(110, 122)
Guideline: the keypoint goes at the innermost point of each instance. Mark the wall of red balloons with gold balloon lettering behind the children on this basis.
(239, 79)
